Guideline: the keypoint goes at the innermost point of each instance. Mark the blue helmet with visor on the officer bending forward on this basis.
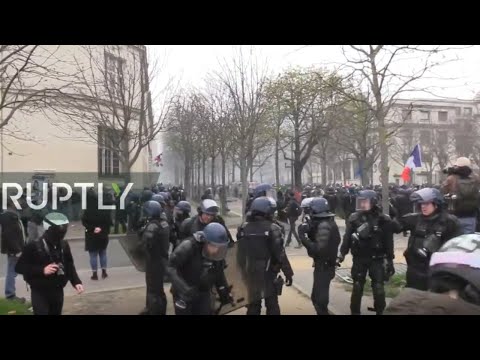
(215, 235)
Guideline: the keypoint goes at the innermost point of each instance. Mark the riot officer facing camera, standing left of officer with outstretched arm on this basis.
(369, 236)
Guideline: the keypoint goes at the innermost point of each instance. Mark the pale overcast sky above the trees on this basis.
(191, 63)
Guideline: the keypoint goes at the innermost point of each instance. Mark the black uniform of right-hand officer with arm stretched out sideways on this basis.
(427, 235)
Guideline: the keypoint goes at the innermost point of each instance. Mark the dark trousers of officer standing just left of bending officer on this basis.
(156, 300)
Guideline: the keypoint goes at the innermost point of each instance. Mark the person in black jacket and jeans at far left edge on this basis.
(12, 243)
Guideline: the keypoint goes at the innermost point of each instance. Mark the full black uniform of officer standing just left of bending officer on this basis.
(155, 239)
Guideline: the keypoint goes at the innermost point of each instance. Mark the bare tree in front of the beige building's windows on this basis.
(110, 101)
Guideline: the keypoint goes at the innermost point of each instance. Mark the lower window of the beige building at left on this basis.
(108, 151)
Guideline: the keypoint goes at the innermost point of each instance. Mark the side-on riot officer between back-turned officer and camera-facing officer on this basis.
(321, 237)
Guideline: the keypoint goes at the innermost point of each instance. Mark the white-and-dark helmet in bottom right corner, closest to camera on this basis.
(459, 258)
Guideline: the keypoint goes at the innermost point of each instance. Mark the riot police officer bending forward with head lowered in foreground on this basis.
(196, 266)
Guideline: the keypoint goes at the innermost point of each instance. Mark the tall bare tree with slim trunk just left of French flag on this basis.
(376, 68)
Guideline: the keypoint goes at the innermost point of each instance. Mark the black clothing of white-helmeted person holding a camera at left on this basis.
(47, 290)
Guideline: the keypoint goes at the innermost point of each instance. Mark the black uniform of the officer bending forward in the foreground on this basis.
(193, 277)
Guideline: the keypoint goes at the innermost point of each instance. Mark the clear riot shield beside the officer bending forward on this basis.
(244, 288)
